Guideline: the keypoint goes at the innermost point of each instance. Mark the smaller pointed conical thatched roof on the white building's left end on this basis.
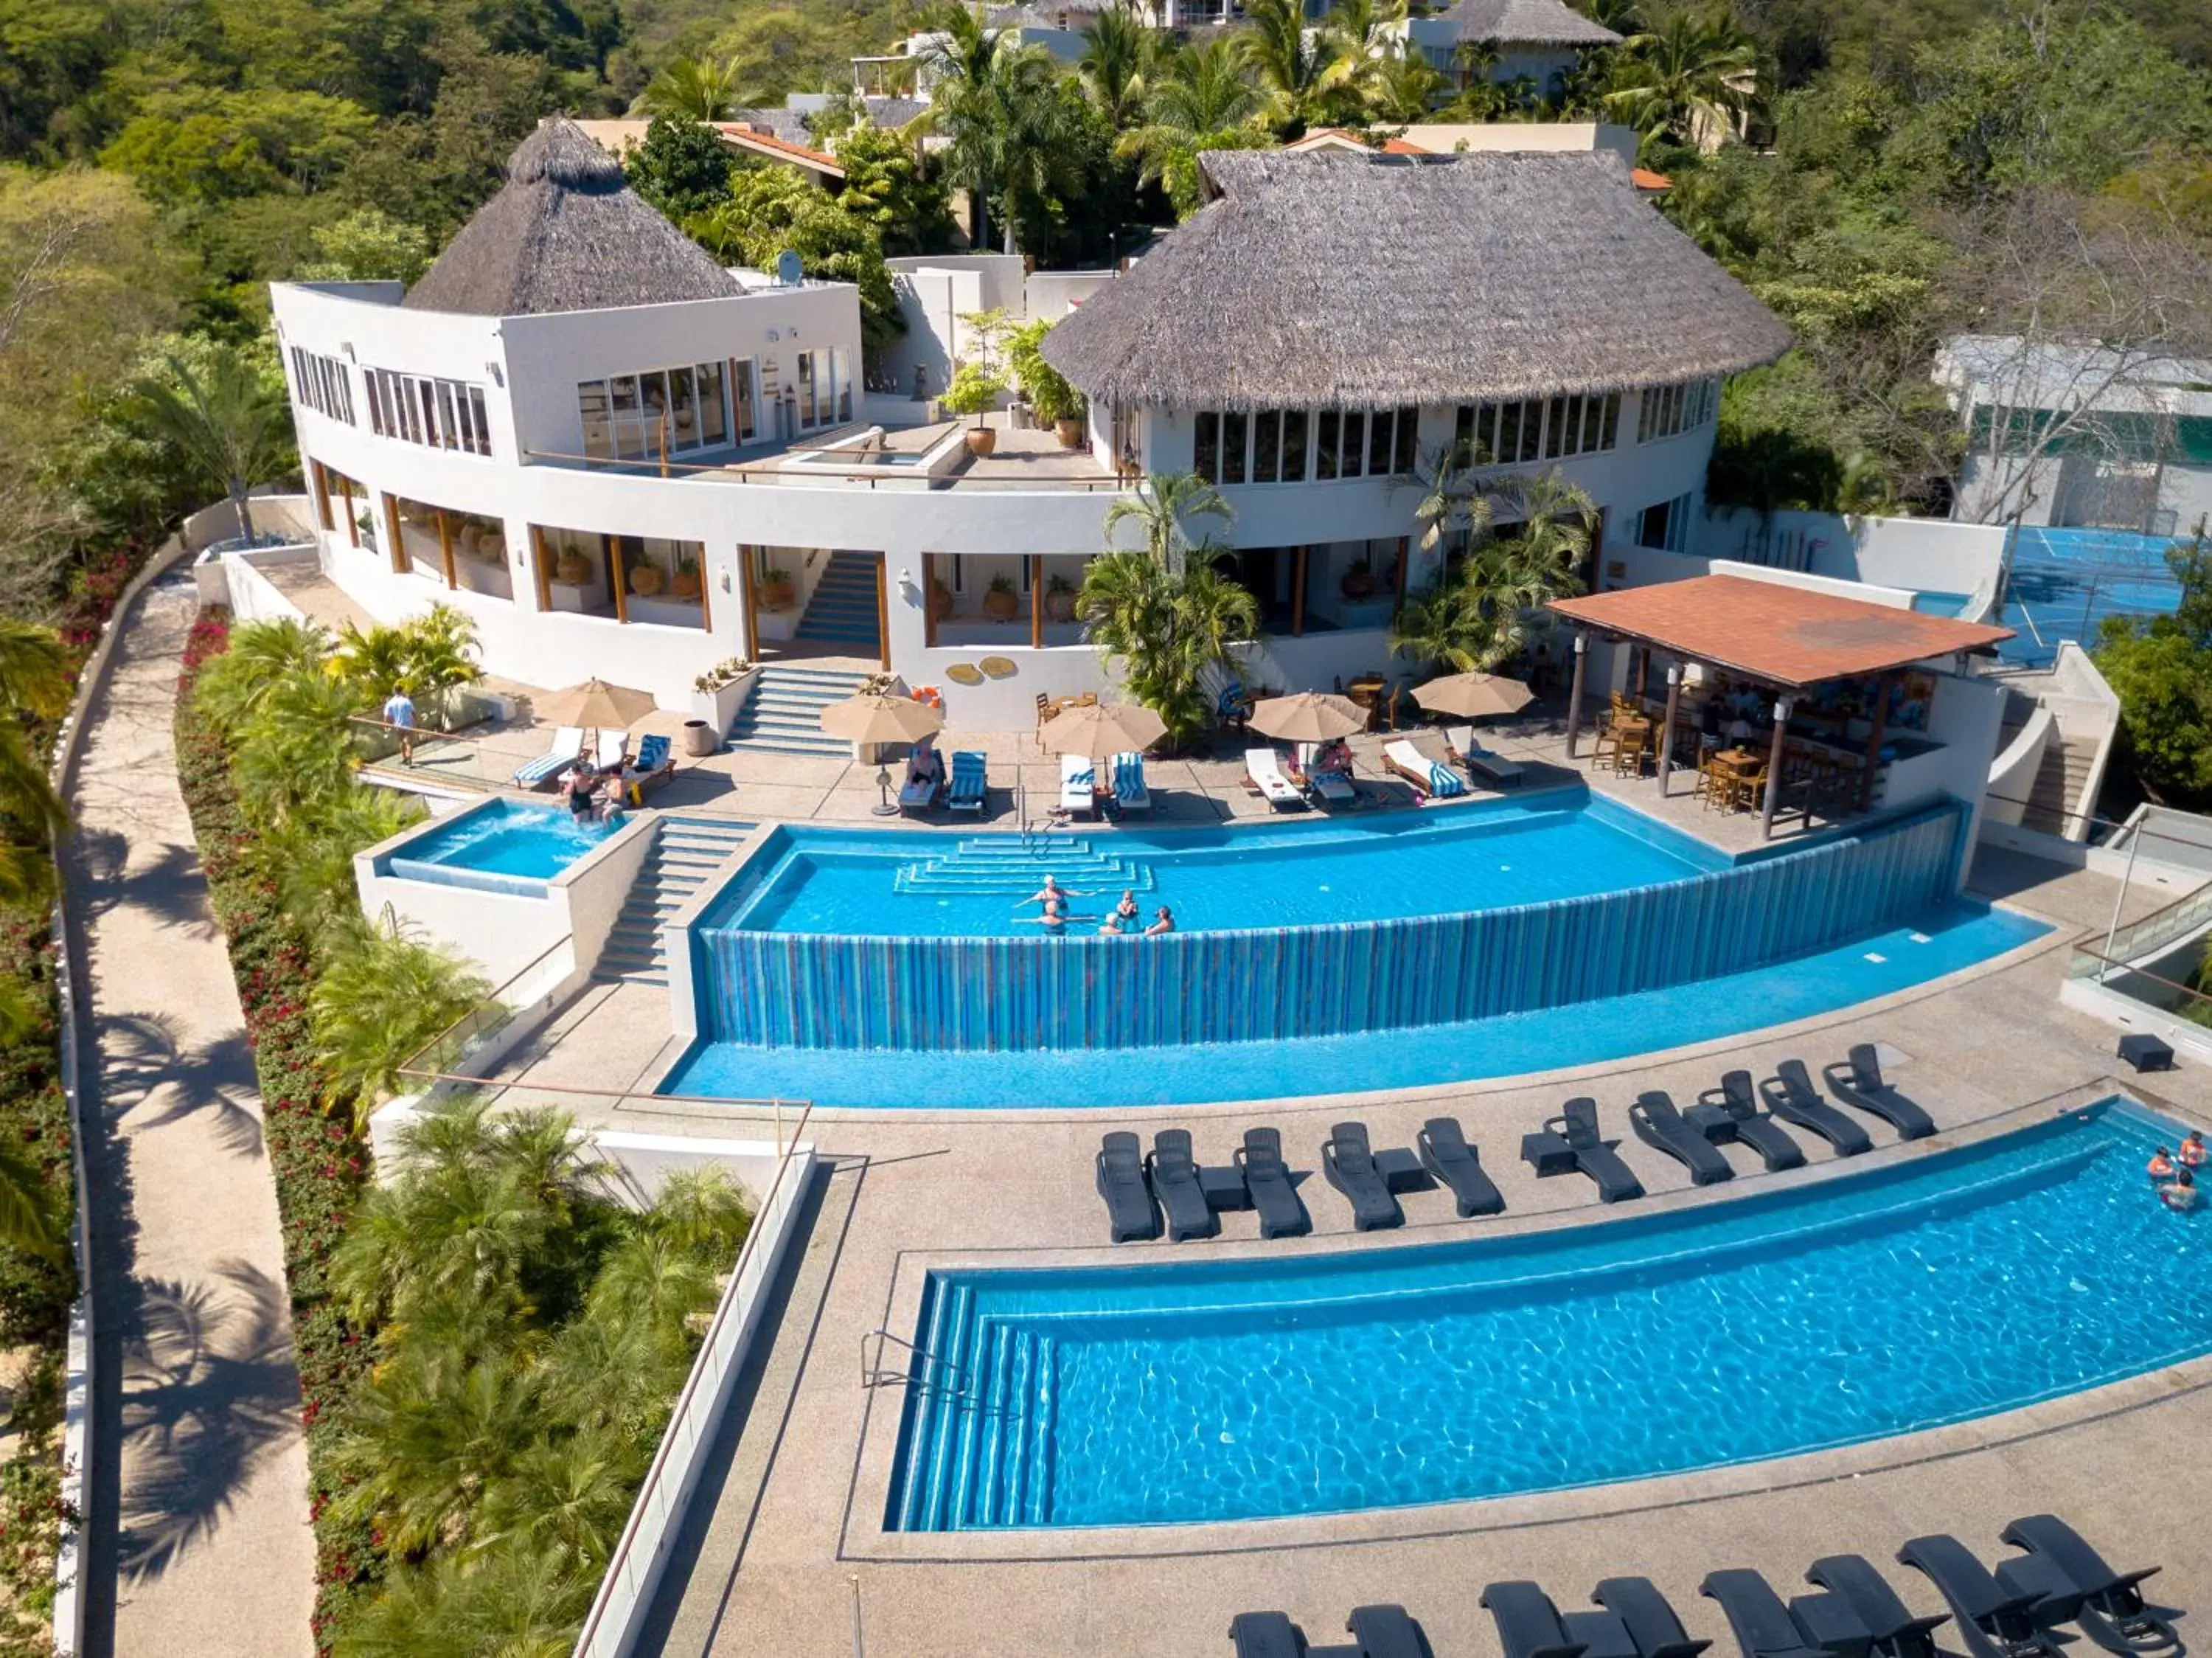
(567, 234)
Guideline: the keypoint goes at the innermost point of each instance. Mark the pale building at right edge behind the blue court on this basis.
(2080, 435)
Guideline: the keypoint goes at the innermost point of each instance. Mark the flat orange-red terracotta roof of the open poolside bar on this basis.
(1786, 636)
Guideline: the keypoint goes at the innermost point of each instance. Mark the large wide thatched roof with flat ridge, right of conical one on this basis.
(1377, 282)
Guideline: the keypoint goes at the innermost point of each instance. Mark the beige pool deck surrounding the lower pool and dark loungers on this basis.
(786, 1526)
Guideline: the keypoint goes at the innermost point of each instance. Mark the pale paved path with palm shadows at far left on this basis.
(200, 1535)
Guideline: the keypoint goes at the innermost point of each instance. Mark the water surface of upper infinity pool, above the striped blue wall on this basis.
(1275, 875)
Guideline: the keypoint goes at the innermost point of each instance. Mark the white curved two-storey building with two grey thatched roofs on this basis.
(620, 459)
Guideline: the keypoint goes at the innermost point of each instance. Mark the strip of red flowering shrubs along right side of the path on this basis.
(317, 1163)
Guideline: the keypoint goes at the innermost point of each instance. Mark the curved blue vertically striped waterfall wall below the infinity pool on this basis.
(813, 991)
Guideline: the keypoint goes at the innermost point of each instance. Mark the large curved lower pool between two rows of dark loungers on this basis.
(1950, 1287)
